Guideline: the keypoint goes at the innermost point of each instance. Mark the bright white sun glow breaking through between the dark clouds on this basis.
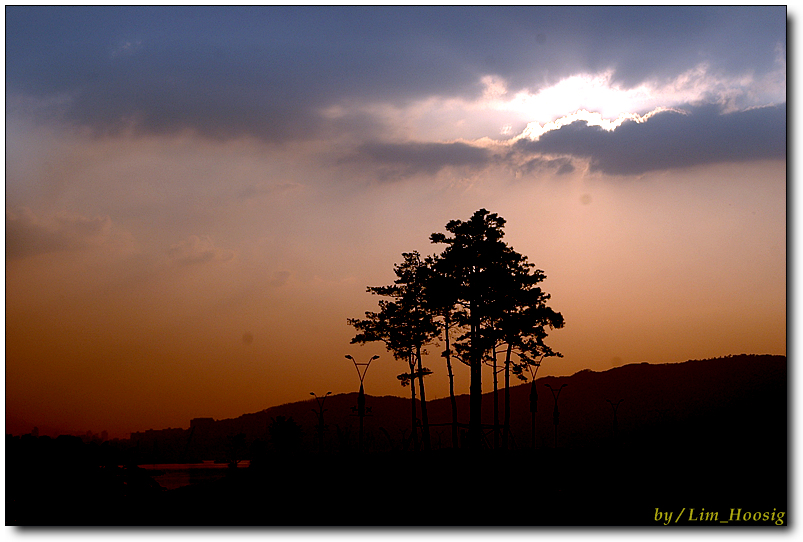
(499, 113)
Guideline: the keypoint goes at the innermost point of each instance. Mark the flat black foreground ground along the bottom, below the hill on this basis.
(563, 488)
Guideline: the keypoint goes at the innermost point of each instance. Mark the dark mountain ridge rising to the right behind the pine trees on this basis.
(674, 404)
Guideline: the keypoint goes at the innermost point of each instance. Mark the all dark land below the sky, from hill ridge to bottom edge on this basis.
(703, 440)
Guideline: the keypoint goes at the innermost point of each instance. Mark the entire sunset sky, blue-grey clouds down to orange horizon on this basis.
(197, 198)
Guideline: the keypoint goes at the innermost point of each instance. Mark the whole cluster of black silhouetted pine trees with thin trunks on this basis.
(478, 287)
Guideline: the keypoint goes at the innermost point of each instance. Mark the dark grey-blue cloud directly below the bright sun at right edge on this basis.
(670, 140)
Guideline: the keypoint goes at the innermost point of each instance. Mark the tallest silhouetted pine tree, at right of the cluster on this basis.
(495, 288)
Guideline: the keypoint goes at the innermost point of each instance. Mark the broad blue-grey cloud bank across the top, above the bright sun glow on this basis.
(267, 71)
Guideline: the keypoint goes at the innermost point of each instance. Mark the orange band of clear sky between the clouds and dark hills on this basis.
(122, 331)
